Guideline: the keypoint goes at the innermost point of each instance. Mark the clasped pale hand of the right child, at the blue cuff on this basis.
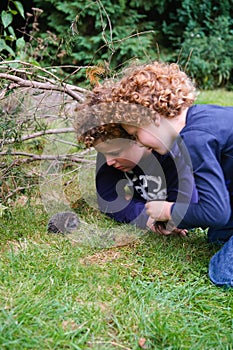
(159, 210)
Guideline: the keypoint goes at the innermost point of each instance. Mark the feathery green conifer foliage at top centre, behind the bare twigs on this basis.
(88, 32)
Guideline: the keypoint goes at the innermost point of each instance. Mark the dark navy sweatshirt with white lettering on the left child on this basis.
(156, 177)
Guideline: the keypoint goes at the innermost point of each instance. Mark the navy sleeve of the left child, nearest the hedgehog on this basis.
(110, 186)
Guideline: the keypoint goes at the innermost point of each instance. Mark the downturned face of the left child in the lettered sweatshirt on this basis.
(122, 154)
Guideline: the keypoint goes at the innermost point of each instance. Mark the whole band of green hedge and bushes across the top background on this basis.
(196, 33)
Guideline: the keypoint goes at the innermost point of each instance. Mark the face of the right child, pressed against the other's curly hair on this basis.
(156, 137)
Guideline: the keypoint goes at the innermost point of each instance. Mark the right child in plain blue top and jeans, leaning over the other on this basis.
(207, 132)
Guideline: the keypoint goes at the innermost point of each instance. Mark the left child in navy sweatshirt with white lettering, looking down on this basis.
(121, 162)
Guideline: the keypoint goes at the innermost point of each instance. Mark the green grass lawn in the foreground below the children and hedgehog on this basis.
(72, 292)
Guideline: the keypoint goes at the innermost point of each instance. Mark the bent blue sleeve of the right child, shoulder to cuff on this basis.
(213, 205)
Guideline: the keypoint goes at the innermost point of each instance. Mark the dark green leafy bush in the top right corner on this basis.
(205, 43)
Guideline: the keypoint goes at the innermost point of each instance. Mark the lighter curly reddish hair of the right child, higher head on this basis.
(162, 87)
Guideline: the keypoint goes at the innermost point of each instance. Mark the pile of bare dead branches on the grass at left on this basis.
(37, 111)
